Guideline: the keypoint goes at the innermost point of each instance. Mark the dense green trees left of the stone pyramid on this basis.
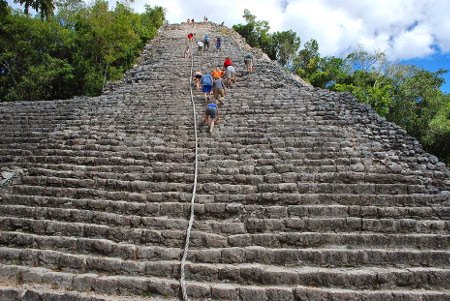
(73, 52)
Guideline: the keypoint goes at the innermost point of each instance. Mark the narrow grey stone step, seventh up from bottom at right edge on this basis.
(221, 195)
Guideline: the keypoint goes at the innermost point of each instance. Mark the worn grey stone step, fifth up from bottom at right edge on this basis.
(231, 226)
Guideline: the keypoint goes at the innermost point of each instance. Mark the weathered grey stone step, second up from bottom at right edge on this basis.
(253, 274)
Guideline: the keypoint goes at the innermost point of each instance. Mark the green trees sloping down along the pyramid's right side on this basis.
(406, 95)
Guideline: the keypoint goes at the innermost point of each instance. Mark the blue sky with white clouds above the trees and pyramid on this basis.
(408, 31)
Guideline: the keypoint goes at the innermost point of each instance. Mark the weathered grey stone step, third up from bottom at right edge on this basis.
(322, 257)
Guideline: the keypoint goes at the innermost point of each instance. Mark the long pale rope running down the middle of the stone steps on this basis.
(194, 191)
